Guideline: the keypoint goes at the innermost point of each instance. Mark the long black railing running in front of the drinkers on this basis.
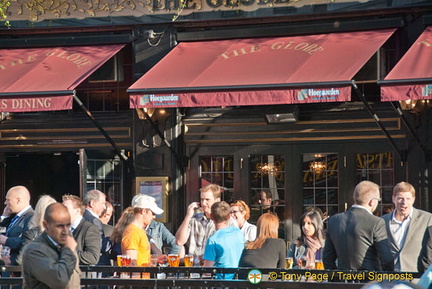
(200, 277)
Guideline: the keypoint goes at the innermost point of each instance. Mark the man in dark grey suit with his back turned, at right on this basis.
(356, 238)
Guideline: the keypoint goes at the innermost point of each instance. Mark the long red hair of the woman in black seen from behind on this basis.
(267, 227)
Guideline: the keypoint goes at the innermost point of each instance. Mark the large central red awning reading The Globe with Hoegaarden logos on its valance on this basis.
(259, 71)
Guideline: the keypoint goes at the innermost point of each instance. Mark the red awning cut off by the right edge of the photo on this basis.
(411, 78)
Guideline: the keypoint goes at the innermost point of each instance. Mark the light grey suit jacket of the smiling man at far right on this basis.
(409, 255)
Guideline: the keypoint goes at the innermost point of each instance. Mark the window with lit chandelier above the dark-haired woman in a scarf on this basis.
(321, 181)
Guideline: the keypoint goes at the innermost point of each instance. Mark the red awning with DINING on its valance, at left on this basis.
(43, 79)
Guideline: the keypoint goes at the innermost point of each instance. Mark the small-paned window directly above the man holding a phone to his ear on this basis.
(218, 170)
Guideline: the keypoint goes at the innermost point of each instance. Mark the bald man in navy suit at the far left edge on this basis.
(18, 201)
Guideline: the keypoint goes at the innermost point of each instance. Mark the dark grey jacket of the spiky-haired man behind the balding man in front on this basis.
(88, 238)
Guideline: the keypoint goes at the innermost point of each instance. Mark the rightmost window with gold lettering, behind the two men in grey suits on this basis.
(378, 168)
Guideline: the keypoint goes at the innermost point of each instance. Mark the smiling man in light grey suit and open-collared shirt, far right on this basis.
(406, 227)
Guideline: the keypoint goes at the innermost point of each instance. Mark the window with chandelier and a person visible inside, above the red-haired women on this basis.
(267, 174)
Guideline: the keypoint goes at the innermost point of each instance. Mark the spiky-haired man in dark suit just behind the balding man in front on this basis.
(85, 233)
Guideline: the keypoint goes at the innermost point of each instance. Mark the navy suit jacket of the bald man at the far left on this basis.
(16, 234)
